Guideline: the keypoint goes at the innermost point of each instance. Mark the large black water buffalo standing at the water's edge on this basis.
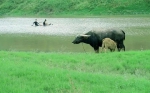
(95, 37)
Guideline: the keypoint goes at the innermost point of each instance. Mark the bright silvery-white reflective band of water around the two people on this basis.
(69, 26)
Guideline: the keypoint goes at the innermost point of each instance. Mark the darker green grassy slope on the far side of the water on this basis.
(51, 8)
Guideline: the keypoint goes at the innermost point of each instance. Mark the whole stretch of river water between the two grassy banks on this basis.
(18, 34)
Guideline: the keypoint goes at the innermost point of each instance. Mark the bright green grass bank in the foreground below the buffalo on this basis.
(30, 72)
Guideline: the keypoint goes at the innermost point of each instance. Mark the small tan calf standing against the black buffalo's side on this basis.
(109, 44)
